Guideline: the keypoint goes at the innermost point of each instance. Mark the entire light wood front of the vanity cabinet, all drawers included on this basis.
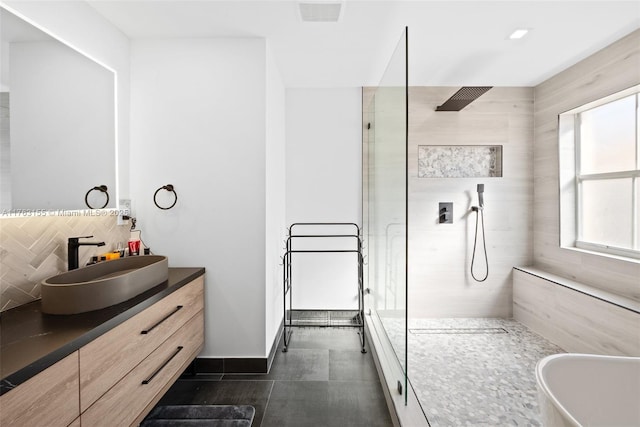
(116, 379)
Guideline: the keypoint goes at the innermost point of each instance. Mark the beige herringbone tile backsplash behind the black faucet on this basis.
(34, 248)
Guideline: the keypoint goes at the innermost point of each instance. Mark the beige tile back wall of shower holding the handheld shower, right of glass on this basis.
(440, 254)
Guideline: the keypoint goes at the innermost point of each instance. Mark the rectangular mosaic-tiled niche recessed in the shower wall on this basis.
(459, 161)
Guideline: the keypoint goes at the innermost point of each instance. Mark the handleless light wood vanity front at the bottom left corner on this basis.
(48, 399)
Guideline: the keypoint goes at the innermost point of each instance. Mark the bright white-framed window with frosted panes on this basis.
(600, 185)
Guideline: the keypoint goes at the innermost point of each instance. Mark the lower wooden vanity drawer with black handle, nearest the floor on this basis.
(135, 395)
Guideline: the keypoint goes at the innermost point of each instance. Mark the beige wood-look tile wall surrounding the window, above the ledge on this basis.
(610, 70)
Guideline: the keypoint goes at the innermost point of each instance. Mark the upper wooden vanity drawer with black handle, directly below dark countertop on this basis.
(104, 361)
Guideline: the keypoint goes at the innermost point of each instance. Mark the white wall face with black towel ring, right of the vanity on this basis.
(199, 109)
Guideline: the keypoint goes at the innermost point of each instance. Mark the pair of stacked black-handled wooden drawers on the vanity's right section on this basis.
(127, 370)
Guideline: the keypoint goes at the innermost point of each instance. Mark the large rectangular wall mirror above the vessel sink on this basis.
(57, 123)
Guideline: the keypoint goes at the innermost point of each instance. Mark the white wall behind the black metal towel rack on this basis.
(324, 185)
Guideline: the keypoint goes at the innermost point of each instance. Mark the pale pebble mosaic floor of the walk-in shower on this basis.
(467, 378)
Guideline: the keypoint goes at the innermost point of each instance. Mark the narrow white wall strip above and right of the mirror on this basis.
(79, 25)
